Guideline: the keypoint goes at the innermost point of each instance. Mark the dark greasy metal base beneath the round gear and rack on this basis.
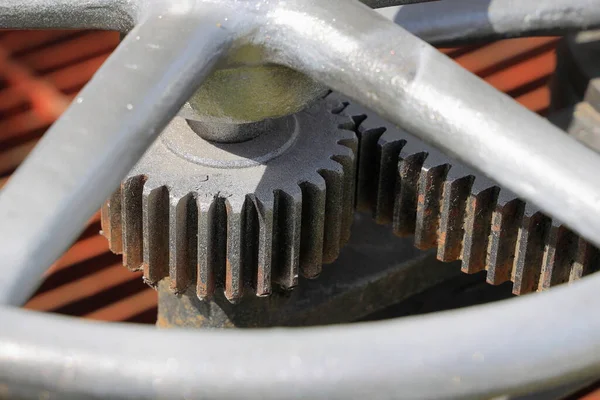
(374, 271)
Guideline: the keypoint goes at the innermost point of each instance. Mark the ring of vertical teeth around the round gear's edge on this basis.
(218, 241)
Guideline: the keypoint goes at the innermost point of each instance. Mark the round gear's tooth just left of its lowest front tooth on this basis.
(212, 244)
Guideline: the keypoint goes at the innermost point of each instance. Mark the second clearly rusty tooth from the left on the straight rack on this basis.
(455, 193)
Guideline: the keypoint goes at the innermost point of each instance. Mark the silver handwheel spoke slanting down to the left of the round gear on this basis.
(99, 138)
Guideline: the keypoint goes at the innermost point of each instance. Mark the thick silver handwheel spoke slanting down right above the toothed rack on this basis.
(415, 86)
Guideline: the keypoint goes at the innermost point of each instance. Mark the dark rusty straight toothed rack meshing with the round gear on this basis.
(462, 214)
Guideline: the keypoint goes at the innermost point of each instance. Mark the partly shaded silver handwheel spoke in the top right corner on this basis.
(453, 22)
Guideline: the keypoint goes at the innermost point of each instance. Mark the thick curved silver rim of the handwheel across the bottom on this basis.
(512, 346)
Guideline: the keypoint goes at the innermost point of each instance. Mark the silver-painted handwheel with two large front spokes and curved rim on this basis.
(344, 45)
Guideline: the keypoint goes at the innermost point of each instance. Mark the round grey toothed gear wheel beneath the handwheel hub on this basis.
(238, 216)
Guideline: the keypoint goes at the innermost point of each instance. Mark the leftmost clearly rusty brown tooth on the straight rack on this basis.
(429, 192)
